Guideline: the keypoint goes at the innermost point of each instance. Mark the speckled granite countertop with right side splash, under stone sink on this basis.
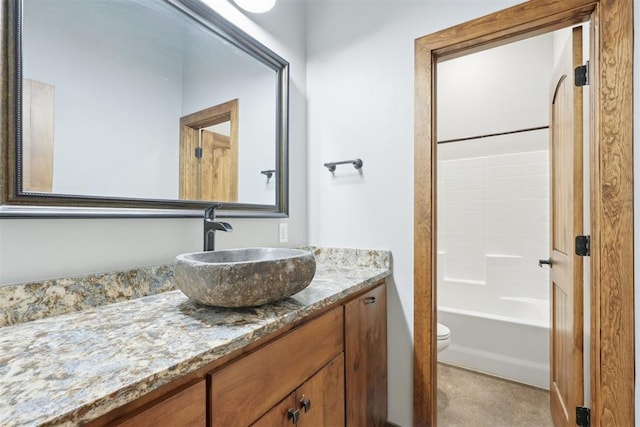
(71, 368)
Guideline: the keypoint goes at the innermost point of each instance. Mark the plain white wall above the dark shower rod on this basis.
(497, 90)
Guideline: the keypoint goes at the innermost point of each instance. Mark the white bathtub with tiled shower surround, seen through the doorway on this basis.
(493, 226)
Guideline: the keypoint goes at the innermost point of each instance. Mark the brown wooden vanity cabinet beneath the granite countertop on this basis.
(335, 365)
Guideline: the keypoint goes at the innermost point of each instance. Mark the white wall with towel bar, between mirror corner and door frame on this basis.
(360, 74)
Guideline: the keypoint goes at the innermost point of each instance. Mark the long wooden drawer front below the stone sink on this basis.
(248, 388)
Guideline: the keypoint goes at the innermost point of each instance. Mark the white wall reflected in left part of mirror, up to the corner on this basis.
(105, 105)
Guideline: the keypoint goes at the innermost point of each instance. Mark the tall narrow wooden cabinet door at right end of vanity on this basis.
(366, 358)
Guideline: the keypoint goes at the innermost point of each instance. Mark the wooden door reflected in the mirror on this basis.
(219, 171)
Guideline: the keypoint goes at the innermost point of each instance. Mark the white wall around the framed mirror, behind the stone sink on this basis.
(35, 249)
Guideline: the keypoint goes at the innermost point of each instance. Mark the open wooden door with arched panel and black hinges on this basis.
(566, 223)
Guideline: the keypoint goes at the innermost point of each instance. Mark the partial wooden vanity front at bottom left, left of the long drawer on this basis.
(186, 408)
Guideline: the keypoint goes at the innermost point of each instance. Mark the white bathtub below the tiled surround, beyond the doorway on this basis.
(513, 344)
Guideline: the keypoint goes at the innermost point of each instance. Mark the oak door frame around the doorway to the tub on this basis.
(611, 185)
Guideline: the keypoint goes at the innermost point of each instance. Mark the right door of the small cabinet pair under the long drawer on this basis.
(321, 398)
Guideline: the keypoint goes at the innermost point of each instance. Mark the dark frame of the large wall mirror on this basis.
(14, 203)
